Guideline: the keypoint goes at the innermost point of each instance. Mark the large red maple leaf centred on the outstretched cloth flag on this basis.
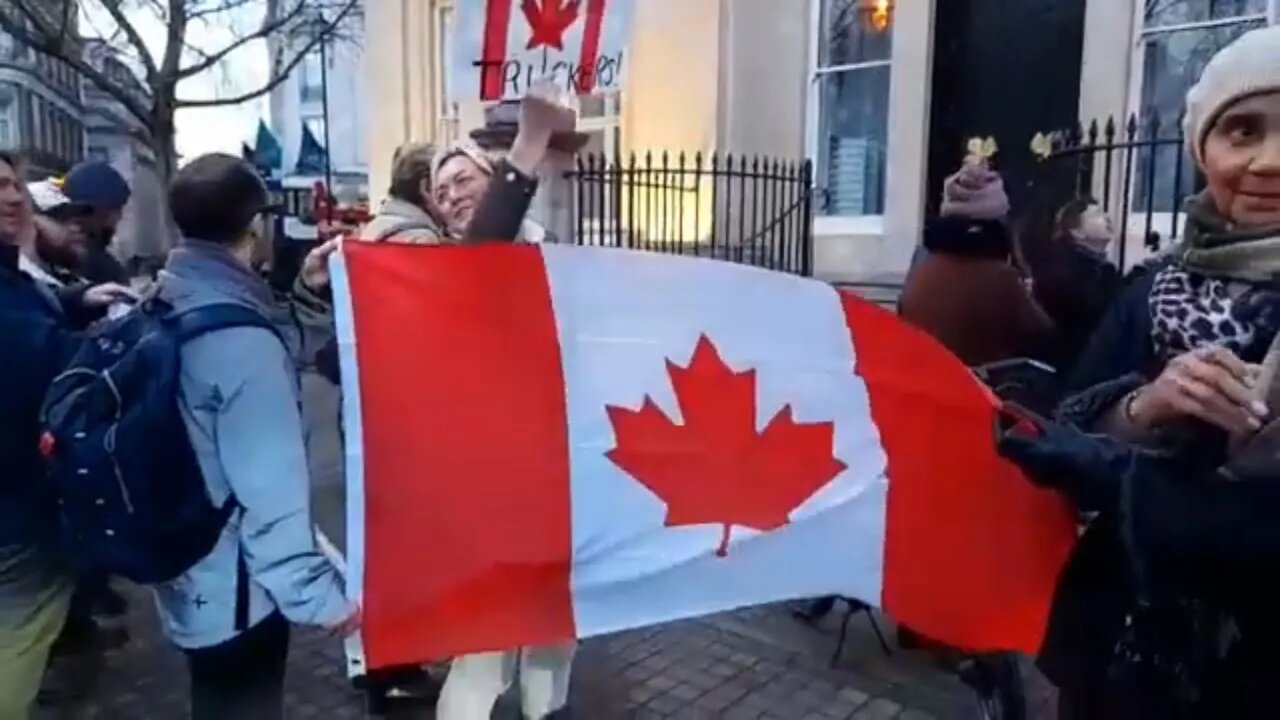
(716, 467)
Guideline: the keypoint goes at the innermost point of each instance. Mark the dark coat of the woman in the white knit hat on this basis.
(1194, 537)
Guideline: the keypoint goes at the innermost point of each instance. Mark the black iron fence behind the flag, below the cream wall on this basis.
(746, 209)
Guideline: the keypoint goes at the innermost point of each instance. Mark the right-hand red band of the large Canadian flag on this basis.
(959, 516)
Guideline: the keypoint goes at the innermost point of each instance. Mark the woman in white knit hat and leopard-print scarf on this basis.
(1164, 609)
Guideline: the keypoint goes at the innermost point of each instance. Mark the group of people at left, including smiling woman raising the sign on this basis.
(239, 397)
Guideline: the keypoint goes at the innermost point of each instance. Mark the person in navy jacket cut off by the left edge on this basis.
(40, 325)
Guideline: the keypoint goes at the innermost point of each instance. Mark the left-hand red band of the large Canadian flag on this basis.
(468, 534)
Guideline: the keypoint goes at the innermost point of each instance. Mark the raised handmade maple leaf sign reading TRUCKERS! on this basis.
(502, 47)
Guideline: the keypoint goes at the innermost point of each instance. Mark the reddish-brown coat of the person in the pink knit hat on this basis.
(968, 295)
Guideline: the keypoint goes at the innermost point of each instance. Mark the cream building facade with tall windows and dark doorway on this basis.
(880, 94)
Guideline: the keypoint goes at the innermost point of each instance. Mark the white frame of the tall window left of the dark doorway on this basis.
(835, 225)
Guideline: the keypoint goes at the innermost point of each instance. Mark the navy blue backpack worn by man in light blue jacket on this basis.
(132, 498)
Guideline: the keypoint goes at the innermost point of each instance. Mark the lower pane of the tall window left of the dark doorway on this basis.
(853, 134)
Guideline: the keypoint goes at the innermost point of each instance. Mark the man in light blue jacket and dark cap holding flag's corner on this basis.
(240, 400)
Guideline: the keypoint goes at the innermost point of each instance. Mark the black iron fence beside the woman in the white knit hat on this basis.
(1139, 170)
